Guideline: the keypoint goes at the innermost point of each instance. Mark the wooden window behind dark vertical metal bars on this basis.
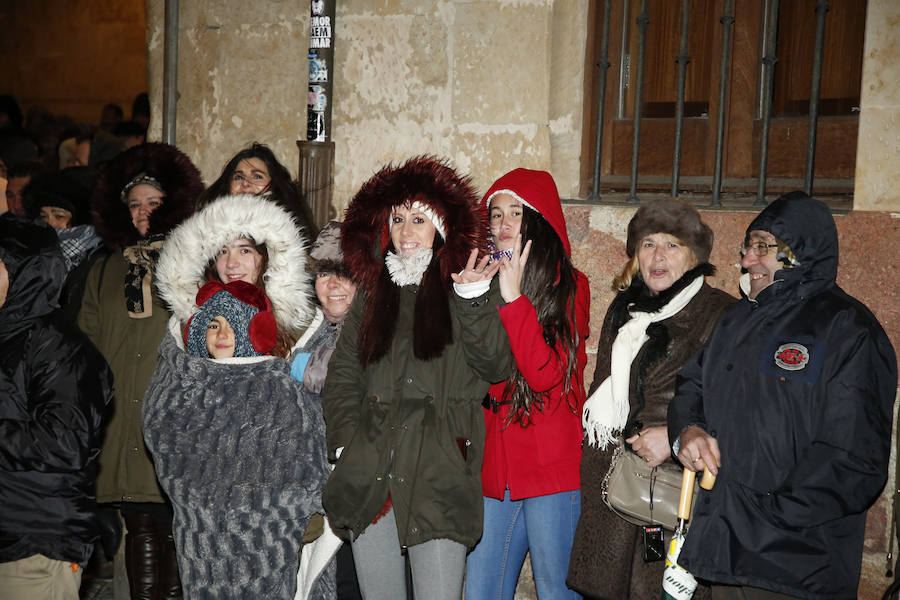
(716, 98)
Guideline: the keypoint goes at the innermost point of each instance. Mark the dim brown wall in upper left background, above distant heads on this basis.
(73, 59)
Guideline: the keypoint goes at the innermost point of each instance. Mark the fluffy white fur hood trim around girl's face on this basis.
(191, 245)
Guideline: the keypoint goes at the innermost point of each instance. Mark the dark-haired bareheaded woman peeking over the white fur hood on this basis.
(255, 171)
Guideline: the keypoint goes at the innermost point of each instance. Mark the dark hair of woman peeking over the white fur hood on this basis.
(281, 189)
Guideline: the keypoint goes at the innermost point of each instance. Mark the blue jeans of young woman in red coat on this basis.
(545, 525)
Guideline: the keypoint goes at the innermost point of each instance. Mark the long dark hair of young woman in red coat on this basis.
(549, 282)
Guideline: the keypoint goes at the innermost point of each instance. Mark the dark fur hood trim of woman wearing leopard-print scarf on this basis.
(176, 173)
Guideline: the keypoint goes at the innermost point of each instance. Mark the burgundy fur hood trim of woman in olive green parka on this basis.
(365, 235)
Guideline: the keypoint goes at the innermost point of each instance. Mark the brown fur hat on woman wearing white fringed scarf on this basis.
(678, 218)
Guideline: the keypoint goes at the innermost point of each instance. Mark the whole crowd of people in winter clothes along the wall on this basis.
(395, 406)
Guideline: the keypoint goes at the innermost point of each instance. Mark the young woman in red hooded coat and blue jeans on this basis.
(530, 474)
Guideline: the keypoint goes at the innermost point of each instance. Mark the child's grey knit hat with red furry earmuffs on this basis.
(246, 309)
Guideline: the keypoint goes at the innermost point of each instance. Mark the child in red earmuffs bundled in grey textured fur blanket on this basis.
(239, 448)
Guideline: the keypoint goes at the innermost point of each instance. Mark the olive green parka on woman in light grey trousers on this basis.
(414, 428)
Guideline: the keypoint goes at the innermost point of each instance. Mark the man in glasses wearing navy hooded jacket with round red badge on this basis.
(790, 402)
